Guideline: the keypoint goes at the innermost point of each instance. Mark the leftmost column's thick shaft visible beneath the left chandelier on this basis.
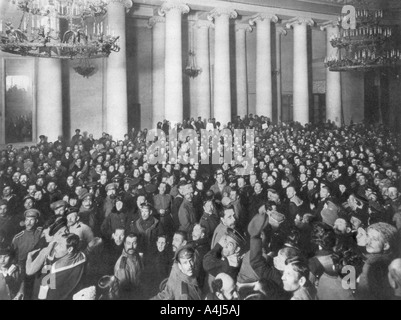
(49, 103)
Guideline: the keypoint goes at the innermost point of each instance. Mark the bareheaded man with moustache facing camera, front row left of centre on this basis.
(129, 267)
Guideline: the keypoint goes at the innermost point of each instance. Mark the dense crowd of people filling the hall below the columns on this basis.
(317, 218)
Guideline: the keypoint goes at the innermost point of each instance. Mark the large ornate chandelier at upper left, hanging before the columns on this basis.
(63, 29)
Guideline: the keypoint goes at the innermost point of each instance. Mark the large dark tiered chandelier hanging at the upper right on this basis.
(370, 45)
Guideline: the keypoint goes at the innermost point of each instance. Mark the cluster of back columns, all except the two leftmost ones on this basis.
(222, 87)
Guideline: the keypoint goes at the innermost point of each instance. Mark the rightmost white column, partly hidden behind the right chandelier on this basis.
(333, 79)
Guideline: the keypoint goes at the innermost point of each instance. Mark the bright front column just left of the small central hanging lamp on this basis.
(173, 104)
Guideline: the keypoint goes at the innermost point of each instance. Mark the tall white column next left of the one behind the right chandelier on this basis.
(301, 83)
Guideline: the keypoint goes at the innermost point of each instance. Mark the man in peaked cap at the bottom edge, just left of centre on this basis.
(182, 283)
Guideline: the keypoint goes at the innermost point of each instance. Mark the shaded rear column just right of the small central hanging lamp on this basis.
(203, 61)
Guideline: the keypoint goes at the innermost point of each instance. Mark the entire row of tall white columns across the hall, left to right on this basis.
(167, 85)
